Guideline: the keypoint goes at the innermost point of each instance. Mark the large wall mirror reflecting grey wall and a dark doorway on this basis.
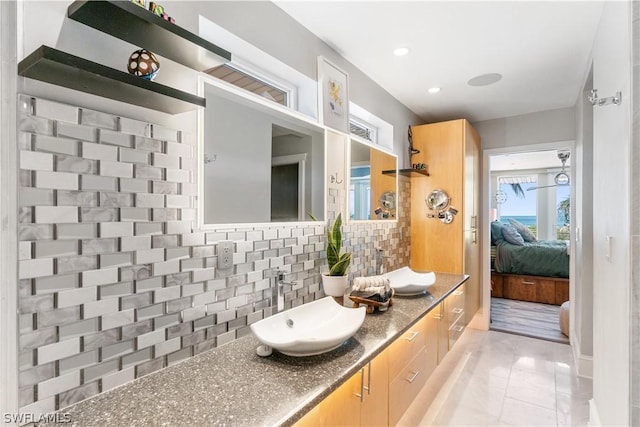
(259, 163)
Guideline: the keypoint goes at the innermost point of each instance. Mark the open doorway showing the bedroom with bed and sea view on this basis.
(530, 214)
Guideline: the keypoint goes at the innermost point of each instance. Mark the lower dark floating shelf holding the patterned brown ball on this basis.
(60, 68)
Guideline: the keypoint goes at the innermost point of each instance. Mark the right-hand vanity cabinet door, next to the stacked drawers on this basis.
(375, 406)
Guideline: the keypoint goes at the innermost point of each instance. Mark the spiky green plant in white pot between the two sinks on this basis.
(335, 281)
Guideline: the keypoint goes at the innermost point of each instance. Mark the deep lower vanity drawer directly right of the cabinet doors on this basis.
(405, 387)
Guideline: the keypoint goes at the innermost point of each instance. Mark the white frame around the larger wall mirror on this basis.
(261, 104)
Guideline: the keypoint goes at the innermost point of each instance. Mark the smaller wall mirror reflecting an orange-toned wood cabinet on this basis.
(373, 182)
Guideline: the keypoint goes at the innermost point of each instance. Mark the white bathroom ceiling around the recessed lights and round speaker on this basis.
(542, 49)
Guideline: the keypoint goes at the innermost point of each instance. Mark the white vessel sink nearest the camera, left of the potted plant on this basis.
(313, 328)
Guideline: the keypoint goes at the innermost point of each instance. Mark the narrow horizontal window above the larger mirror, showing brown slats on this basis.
(250, 81)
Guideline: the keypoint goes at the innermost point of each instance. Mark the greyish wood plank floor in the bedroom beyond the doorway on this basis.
(527, 318)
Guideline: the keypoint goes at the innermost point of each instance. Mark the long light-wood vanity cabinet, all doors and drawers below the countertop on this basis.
(392, 380)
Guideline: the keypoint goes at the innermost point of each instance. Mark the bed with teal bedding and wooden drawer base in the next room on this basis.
(528, 269)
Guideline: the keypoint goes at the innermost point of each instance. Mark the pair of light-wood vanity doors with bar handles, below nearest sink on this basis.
(363, 400)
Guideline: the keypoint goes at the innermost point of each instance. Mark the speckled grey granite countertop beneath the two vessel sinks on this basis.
(231, 385)
